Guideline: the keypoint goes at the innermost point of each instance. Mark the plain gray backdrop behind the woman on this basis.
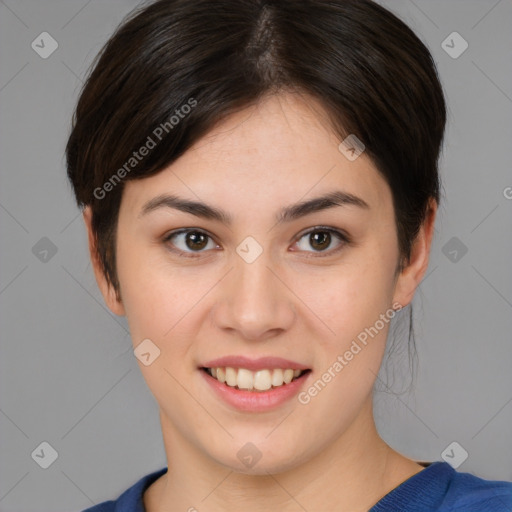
(67, 371)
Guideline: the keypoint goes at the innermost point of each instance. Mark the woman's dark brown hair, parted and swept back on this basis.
(373, 75)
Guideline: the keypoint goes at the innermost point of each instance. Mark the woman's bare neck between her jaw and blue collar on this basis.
(352, 473)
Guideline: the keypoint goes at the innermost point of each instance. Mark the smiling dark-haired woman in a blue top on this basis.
(260, 187)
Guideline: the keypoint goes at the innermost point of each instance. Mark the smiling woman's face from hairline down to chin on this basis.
(265, 287)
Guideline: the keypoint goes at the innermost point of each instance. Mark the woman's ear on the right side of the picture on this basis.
(411, 275)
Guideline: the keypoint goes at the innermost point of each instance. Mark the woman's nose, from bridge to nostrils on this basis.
(255, 302)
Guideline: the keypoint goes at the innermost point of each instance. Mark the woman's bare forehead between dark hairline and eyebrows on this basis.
(279, 151)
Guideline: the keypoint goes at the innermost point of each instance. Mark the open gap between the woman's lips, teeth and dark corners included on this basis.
(259, 381)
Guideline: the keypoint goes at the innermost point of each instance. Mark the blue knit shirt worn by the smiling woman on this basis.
(437, 488)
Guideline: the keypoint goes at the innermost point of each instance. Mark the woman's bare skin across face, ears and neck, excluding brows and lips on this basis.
(327, 454)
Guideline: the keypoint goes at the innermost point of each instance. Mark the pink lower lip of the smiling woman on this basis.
(256, 401)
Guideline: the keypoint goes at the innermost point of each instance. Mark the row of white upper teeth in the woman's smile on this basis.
(260, 380)
